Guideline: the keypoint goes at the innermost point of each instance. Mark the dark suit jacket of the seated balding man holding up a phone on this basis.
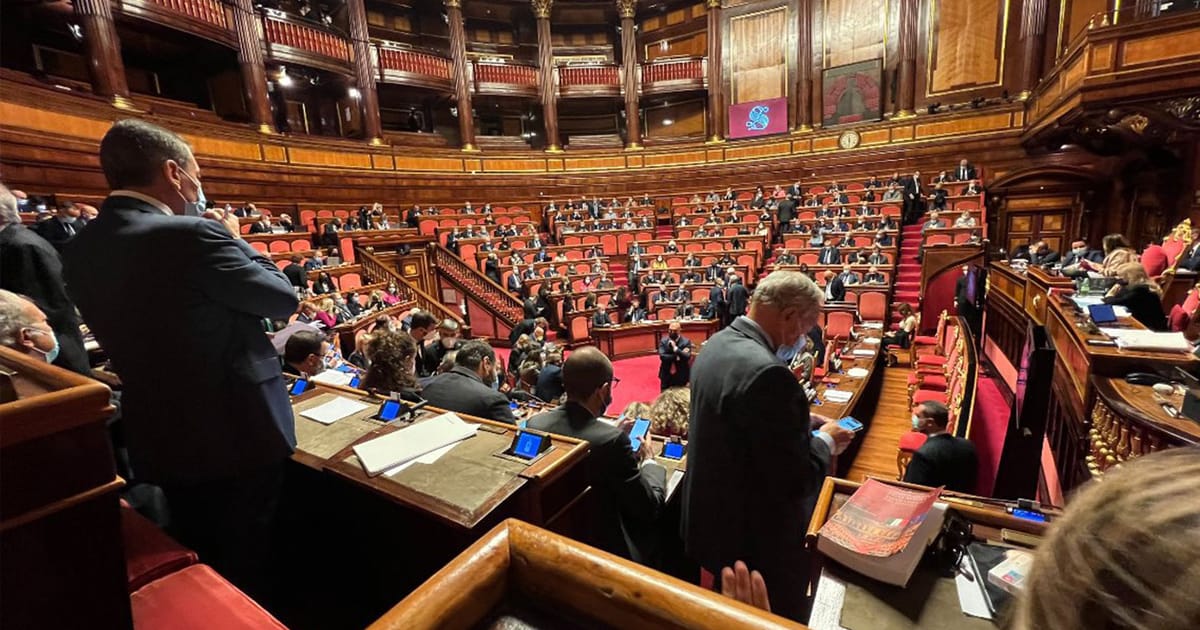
(629, 496)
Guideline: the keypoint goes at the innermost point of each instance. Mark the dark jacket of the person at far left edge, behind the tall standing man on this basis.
(31, 267)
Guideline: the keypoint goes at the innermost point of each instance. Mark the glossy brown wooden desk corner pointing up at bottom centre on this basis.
(521, 577)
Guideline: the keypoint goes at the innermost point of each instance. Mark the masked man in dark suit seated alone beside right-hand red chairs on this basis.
(944, 460)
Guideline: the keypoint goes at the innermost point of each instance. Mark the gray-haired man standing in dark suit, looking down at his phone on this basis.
(754, 467)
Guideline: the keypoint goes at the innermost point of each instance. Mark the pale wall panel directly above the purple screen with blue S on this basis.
(759, 55)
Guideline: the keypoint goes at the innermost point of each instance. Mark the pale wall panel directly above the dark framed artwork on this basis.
(855, 31)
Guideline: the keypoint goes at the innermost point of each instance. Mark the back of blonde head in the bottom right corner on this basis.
(1125, 555)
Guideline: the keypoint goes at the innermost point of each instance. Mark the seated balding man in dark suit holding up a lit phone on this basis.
(631, 485)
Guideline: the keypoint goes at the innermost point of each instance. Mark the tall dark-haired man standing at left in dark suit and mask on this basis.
(207, 416)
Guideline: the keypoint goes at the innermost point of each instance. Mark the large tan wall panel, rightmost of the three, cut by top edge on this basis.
(967, 45)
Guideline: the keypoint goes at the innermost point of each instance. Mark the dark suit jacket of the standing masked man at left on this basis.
(205, 398)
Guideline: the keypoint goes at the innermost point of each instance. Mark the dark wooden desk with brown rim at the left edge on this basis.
(61, 529)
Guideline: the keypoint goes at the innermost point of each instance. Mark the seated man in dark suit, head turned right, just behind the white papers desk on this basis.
(467, 387)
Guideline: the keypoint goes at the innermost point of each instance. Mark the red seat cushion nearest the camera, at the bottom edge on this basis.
(196, 598)
